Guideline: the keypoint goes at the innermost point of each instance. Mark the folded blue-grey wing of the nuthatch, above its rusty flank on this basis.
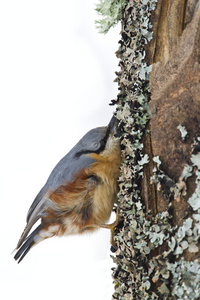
(65, 171)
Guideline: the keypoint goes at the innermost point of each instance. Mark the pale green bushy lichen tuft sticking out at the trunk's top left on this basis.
(111, 11)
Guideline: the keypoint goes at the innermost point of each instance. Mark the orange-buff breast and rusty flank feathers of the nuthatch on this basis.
(88, 200)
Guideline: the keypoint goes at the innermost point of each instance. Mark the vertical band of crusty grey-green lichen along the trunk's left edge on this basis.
(136, 240)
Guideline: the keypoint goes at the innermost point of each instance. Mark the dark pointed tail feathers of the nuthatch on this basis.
(29, 242)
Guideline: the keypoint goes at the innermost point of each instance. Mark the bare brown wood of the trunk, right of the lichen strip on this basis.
(175, 86)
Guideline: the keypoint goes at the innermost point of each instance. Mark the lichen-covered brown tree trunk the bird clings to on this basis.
(159, 199)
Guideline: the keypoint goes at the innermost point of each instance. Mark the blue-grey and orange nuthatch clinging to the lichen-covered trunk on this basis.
(80, 192)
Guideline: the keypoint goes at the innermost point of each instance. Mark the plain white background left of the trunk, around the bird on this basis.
(56, 81)
